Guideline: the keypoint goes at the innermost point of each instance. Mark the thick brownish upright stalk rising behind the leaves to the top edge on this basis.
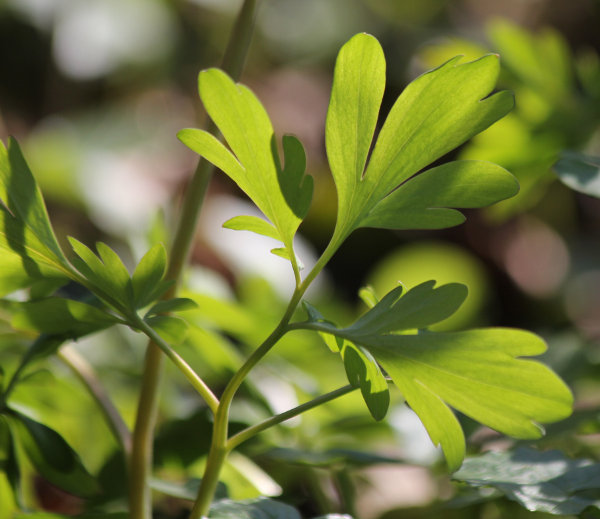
(140, 464)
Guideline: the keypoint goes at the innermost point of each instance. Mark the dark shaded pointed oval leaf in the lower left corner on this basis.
(52, 456)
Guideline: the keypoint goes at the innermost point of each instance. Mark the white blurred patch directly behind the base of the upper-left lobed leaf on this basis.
(248, 253)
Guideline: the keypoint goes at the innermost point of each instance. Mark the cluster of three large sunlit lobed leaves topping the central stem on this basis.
(477, 372)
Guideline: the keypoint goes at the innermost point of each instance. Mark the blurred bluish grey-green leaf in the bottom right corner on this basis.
(540, 481)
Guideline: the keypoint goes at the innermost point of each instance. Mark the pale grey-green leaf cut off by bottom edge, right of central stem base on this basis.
(259, 508)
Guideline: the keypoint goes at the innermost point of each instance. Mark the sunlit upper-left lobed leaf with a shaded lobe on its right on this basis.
(283, 194)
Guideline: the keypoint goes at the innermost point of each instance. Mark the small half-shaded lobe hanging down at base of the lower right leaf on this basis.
(364, 372)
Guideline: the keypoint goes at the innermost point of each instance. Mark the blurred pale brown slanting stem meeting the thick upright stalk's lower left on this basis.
(86, 375)
